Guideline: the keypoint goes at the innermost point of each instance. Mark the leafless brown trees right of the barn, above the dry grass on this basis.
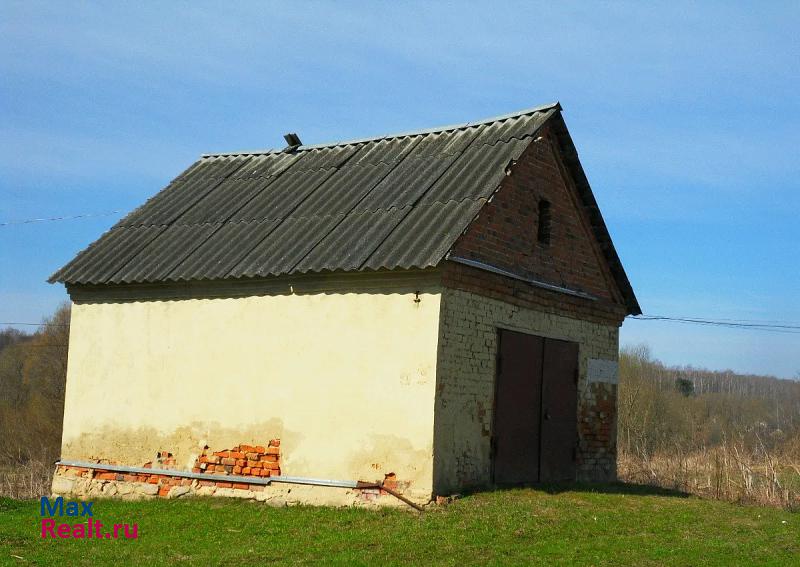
(662, 407)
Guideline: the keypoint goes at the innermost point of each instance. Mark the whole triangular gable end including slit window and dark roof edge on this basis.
(547, 186)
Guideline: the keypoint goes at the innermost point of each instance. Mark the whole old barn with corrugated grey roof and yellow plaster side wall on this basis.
(422, 313)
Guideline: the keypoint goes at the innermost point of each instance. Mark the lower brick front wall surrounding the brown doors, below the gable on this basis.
(466, 378)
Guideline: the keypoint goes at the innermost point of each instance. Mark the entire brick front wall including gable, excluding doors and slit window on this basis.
(475, 303)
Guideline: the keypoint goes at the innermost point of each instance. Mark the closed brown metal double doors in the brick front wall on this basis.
(536, 409)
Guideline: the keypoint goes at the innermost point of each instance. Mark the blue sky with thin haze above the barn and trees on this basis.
(686, 117)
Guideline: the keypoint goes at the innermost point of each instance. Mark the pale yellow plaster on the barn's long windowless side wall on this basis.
(345, 380)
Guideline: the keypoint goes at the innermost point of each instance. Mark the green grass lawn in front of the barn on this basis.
(612, 525)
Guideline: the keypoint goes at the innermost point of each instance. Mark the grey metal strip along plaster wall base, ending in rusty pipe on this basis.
(356, 484)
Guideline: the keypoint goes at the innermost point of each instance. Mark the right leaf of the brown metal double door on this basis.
(559, 432)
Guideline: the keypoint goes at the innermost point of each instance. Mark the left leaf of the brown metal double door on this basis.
(517, 411)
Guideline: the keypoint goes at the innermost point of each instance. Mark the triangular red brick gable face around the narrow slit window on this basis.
(504, 234)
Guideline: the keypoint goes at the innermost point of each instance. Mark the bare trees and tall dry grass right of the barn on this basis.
(718, 434)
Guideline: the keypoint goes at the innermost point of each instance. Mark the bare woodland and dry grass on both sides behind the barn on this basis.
(719, 434)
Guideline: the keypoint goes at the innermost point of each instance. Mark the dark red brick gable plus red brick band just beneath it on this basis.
(505, 235)
